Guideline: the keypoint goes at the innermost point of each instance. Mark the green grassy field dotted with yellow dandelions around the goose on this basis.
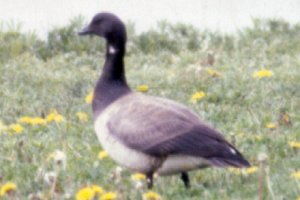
(56, 154)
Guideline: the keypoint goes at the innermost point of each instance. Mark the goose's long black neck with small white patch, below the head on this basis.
(112, 82)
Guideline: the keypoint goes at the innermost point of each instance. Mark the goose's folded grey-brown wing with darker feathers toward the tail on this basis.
(161, 127)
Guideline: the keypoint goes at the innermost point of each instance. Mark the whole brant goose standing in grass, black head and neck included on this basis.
(149, 134)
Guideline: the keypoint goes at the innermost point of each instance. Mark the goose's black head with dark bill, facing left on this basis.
(108, 26)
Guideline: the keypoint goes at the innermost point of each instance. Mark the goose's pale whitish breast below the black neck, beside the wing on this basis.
(123, 155)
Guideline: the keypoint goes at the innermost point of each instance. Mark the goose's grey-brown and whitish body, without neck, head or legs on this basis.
(150, 134)
